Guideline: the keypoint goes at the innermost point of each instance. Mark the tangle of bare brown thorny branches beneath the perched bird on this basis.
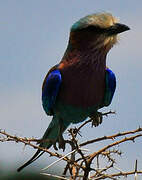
(80, 163)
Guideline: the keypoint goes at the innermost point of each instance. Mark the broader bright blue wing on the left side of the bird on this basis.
(50, 90)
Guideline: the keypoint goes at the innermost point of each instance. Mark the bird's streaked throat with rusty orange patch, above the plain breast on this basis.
(91, 57)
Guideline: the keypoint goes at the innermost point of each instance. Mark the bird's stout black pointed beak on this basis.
(117, 28)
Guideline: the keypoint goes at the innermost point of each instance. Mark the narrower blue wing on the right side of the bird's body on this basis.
(109, 87)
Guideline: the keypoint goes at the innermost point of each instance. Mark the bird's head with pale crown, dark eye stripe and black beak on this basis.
(98, 30)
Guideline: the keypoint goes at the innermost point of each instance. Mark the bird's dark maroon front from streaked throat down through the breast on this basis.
(83, 74)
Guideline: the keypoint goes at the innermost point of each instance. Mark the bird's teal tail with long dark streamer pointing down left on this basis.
(51, 135)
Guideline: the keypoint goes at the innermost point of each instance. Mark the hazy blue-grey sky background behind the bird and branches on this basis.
(33, 38)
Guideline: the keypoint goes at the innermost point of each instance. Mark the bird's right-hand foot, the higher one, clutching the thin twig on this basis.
(97, 119)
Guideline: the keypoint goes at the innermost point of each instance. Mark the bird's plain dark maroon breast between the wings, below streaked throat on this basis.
(82, 86)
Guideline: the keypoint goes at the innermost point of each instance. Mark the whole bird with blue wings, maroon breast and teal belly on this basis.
(81, 83)
